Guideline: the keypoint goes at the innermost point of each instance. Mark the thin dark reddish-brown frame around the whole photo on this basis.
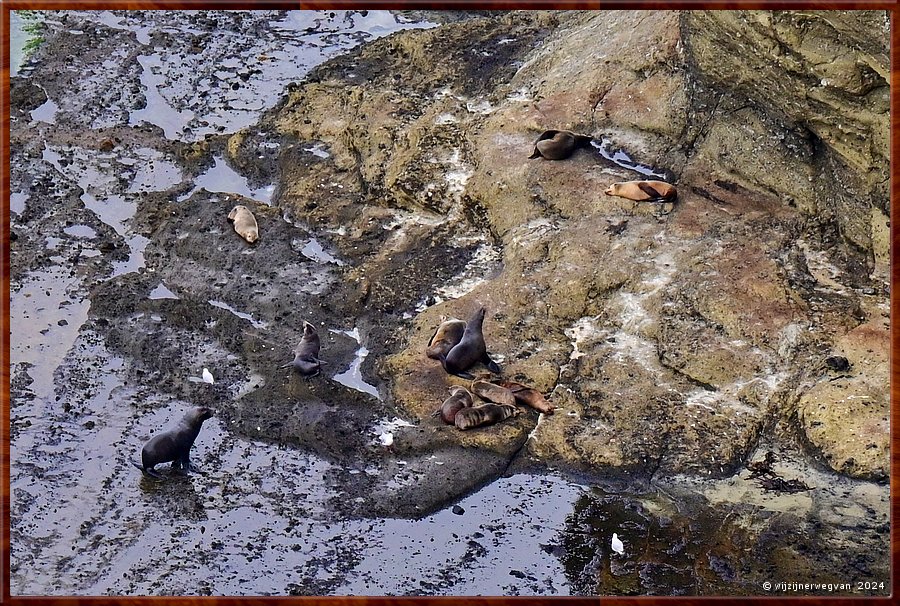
(10, 5)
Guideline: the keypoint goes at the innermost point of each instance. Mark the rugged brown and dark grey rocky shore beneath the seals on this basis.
(392, 189)
